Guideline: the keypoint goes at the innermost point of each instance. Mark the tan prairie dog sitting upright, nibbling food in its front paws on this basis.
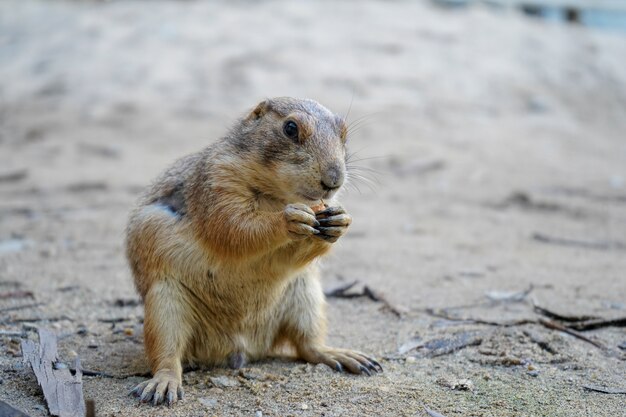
(223, 247)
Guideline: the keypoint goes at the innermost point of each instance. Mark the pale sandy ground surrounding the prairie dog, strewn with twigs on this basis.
(500, 153)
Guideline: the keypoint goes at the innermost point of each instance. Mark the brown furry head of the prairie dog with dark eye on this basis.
(298, 146)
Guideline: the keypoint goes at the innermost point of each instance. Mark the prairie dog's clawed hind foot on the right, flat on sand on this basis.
(343, 359)
